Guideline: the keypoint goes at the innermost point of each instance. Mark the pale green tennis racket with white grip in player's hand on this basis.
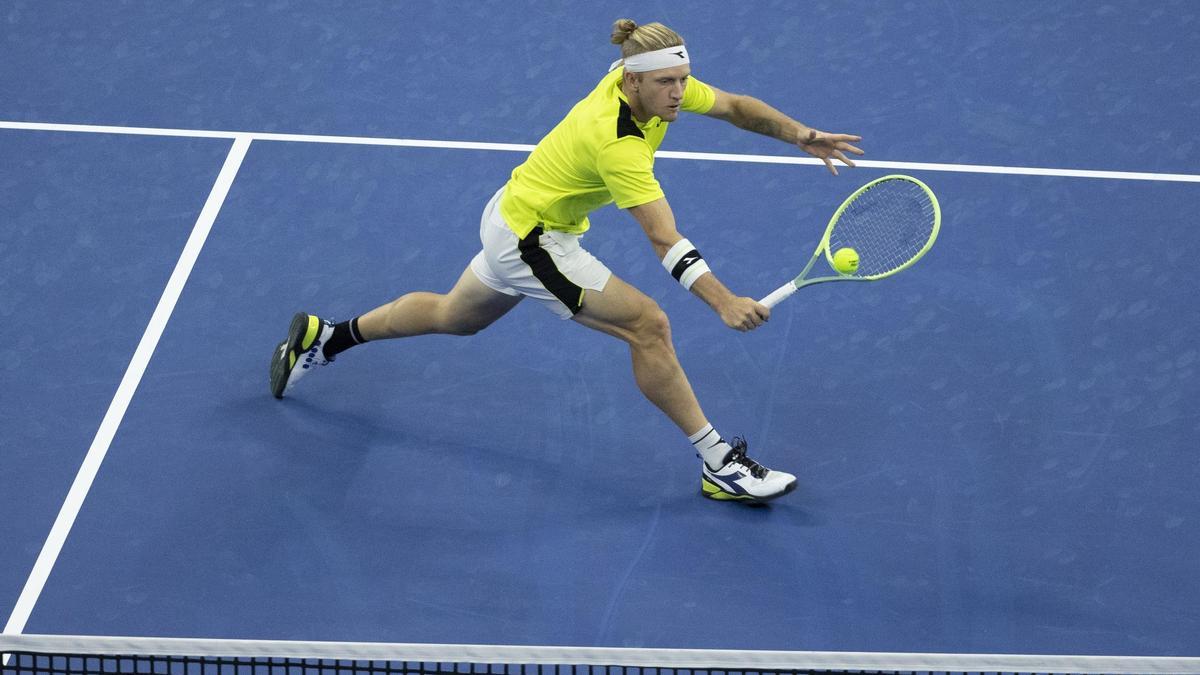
(891, 223)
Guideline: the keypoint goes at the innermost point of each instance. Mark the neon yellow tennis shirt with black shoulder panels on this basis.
(597, 156)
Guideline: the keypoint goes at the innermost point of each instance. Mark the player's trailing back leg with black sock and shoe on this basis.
(465, 310)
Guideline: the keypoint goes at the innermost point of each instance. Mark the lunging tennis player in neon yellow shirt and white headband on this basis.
(603, 152)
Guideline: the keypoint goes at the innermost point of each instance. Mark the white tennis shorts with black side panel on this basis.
(549, 267)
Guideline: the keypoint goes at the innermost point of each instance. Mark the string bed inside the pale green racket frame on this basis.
(889, 224)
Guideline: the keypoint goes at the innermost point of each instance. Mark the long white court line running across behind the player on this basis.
(670, 156)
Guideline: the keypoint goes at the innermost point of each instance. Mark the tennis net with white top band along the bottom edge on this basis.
(85, 655)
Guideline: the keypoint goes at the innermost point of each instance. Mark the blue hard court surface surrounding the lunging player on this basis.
(998, 450)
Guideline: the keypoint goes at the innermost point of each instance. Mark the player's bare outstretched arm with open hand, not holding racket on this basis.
(752, 115)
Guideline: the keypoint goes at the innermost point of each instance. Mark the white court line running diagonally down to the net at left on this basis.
(104, 439)
